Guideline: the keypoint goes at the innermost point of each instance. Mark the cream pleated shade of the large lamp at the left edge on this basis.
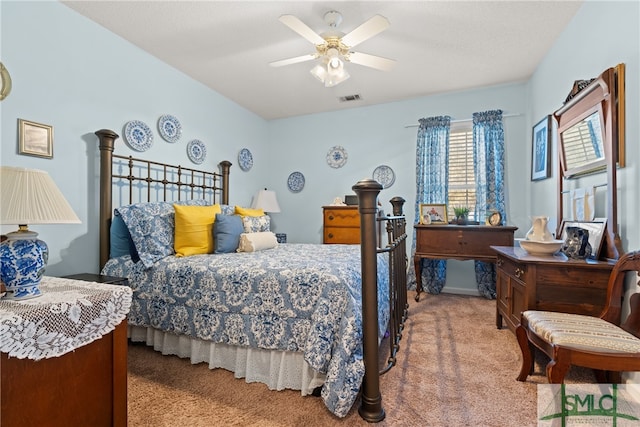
(29, 196)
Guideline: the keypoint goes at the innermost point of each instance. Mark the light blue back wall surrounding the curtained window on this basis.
(379, 135)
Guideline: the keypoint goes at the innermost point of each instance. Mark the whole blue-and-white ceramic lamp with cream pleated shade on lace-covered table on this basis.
(28, 196)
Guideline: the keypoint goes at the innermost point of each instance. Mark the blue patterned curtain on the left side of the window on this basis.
(432, 181)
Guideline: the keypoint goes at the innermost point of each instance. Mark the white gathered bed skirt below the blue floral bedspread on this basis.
(277, 369)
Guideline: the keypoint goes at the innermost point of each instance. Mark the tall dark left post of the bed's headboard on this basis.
(107, 139)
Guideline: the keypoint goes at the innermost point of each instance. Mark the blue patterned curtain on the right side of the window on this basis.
(488, 164)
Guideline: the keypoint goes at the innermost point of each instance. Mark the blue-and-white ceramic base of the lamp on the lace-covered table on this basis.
(23, 259)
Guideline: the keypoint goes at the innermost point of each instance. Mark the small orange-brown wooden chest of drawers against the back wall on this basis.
(341, 224)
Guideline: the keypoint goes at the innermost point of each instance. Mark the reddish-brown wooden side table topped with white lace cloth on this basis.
(83, 387)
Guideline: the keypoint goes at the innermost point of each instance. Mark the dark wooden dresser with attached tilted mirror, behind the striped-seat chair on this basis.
(555, 282)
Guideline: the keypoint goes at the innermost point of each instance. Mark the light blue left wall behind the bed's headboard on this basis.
(73, 74)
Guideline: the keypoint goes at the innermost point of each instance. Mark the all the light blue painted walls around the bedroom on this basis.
(73, 74)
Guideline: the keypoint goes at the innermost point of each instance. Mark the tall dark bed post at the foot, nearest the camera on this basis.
(371, 402)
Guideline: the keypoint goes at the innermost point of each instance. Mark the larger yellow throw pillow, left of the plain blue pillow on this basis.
(194, 229)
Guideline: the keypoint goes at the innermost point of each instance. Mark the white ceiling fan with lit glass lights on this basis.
(333, 47)
